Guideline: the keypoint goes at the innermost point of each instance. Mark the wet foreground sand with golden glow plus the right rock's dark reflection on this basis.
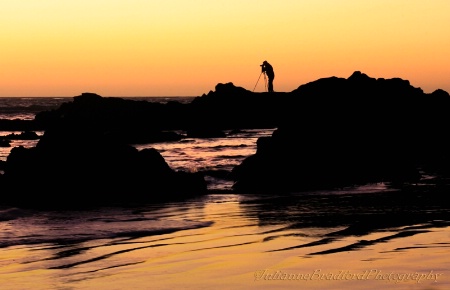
(240, 236)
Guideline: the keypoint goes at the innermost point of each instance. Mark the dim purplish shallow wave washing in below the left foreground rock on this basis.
(26, 227)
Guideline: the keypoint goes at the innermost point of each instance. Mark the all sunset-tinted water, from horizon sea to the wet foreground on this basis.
(365, 237)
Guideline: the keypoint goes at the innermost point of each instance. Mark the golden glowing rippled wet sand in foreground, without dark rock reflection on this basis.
(238, 251)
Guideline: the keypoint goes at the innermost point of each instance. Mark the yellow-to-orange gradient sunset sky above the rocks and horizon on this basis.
(186, 47)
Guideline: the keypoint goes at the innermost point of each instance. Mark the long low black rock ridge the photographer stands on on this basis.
(228, 107)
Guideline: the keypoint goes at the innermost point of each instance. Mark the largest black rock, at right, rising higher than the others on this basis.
(341, 132)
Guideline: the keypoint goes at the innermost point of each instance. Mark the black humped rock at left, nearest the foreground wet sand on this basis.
(76, 164)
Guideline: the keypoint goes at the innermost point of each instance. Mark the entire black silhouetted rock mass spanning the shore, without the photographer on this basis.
(331, 132)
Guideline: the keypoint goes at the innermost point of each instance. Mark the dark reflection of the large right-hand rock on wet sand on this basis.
(374, 217)
